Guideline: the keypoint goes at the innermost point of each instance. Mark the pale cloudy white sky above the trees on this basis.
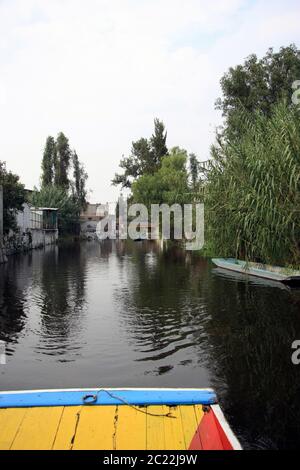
(101, 70)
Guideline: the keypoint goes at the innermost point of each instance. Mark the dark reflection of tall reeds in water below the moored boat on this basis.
(251, 331)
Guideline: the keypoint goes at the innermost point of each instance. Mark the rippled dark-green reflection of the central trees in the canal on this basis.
(159, 312)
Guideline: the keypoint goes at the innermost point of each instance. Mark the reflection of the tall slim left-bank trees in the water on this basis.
(61, 300)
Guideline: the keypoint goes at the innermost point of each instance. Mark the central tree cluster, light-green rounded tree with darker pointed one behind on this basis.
(156, 174)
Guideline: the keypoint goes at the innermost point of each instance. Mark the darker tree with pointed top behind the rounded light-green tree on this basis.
(145, 158)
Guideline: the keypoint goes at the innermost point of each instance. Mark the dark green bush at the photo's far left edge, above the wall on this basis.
(13, 197)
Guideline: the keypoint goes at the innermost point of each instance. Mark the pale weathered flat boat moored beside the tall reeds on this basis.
(275, 273)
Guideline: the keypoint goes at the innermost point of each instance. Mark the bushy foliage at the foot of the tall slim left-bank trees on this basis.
(57, 197)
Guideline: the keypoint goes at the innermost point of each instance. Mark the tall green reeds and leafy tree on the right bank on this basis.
(252, 192)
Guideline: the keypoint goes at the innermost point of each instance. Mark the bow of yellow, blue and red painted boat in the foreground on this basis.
(114, 419)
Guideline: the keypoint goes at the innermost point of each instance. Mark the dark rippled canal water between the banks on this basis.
(121, 314)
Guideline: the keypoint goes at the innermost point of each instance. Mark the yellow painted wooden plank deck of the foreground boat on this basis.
(108, 427)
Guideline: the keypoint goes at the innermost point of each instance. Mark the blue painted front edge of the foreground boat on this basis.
(107, 396)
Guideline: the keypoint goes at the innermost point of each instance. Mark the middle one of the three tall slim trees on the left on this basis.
(62, 164)
